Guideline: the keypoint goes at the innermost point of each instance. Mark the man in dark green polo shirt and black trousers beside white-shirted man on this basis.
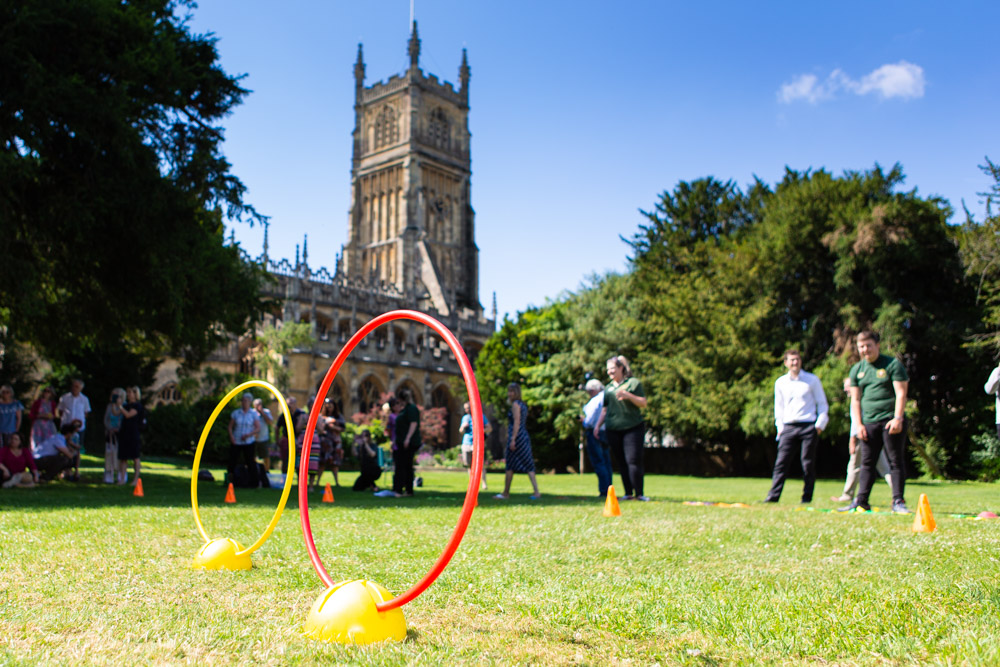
(878, 396)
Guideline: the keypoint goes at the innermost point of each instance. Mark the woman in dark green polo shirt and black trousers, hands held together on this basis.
(626, 429)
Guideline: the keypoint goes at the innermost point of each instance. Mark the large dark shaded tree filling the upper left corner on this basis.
(113, 186)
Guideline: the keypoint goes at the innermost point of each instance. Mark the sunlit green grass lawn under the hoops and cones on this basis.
(90, 574)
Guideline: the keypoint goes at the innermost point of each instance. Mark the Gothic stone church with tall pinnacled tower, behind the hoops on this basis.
(410, 245)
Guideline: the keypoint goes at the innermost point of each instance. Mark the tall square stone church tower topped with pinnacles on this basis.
(411, 224)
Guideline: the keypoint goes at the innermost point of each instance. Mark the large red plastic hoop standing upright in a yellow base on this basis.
(471, 494)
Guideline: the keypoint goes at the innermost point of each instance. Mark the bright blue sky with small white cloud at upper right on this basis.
(583, 112)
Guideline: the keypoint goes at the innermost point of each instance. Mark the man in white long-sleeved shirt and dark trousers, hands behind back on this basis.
(800, 414)
